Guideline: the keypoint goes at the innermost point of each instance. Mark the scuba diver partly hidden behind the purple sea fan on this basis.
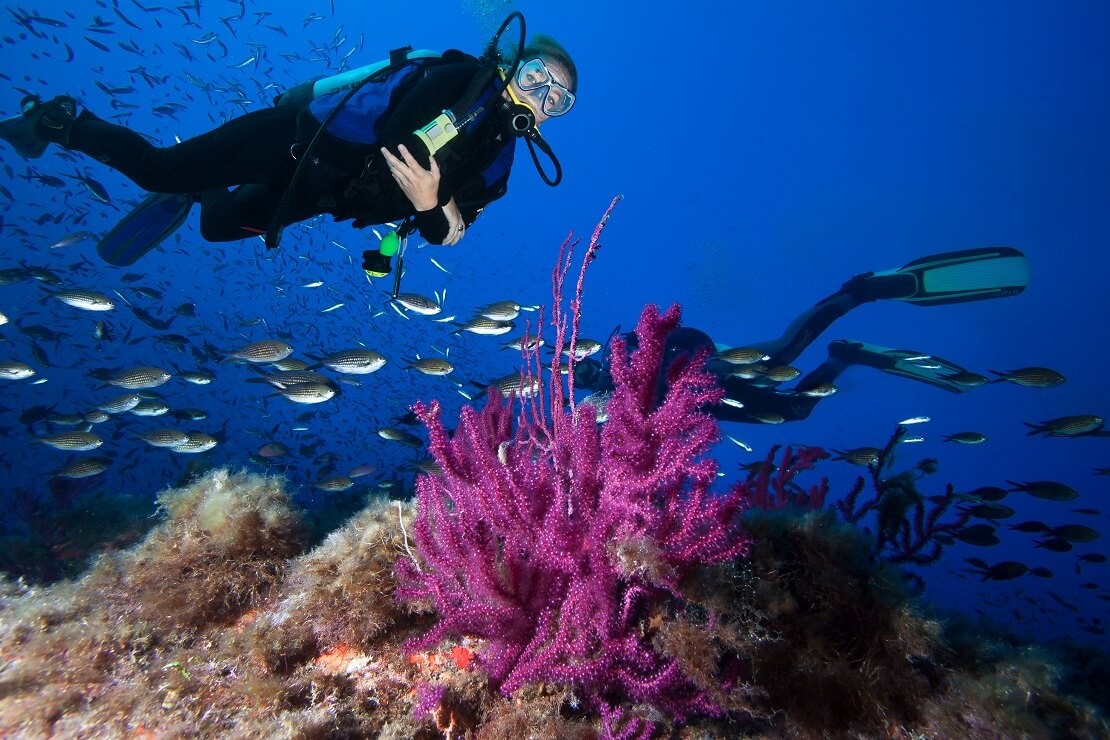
(751, 376)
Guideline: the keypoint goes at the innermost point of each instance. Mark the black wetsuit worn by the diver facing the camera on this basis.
(255, 154)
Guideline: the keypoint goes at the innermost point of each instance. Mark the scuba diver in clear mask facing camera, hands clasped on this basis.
(422, 138)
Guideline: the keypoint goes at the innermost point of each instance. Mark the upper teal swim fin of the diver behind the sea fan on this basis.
(977, 275)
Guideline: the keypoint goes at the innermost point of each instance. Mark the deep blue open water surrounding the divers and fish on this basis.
(766, 155)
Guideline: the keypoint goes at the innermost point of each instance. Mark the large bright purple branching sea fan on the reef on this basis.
(556, 541)
